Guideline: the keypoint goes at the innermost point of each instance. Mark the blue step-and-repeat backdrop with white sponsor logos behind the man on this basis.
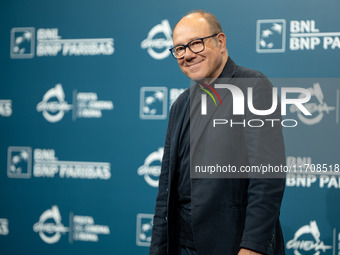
(85, 93)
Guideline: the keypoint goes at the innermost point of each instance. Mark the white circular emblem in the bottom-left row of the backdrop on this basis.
(49, 226)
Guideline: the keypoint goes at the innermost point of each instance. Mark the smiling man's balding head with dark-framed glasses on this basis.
(207, 63)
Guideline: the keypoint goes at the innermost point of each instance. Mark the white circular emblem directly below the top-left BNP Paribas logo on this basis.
(54, 110)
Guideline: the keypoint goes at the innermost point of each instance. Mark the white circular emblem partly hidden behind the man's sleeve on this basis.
(152, 168)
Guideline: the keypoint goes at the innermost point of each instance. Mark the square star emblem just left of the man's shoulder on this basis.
(153, 103)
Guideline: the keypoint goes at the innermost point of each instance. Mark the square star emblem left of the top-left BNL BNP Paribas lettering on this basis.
(22, 42)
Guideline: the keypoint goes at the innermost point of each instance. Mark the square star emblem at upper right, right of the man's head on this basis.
(271, 36)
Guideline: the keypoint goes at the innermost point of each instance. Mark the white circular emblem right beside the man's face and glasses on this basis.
(158, 47)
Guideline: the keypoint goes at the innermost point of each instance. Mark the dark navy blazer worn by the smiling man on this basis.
(227, 213)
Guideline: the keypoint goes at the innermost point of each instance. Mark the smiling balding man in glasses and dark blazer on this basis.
(216, 216)
